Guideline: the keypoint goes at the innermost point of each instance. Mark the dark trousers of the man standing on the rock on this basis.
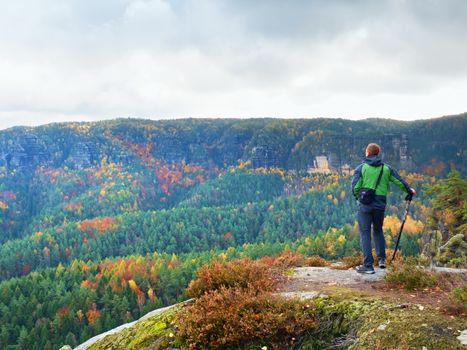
(366, 218)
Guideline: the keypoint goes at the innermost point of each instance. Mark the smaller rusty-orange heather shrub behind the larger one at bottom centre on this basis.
(243, 273)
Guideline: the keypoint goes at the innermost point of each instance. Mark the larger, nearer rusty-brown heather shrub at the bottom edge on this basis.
(236, 316)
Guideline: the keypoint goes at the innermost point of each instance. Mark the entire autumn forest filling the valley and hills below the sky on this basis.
(103, 222)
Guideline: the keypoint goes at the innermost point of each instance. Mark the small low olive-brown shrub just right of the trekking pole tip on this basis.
(409, 275)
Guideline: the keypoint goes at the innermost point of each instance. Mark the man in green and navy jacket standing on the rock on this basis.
(373, 174)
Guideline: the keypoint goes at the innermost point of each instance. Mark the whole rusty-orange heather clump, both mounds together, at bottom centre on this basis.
(234, 305)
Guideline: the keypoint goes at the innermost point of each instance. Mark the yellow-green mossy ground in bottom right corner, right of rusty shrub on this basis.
(377, 324)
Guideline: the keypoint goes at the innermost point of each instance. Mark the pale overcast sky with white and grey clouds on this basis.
(98, 59)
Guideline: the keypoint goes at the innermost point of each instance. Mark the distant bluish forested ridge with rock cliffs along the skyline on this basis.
(285, 143)
